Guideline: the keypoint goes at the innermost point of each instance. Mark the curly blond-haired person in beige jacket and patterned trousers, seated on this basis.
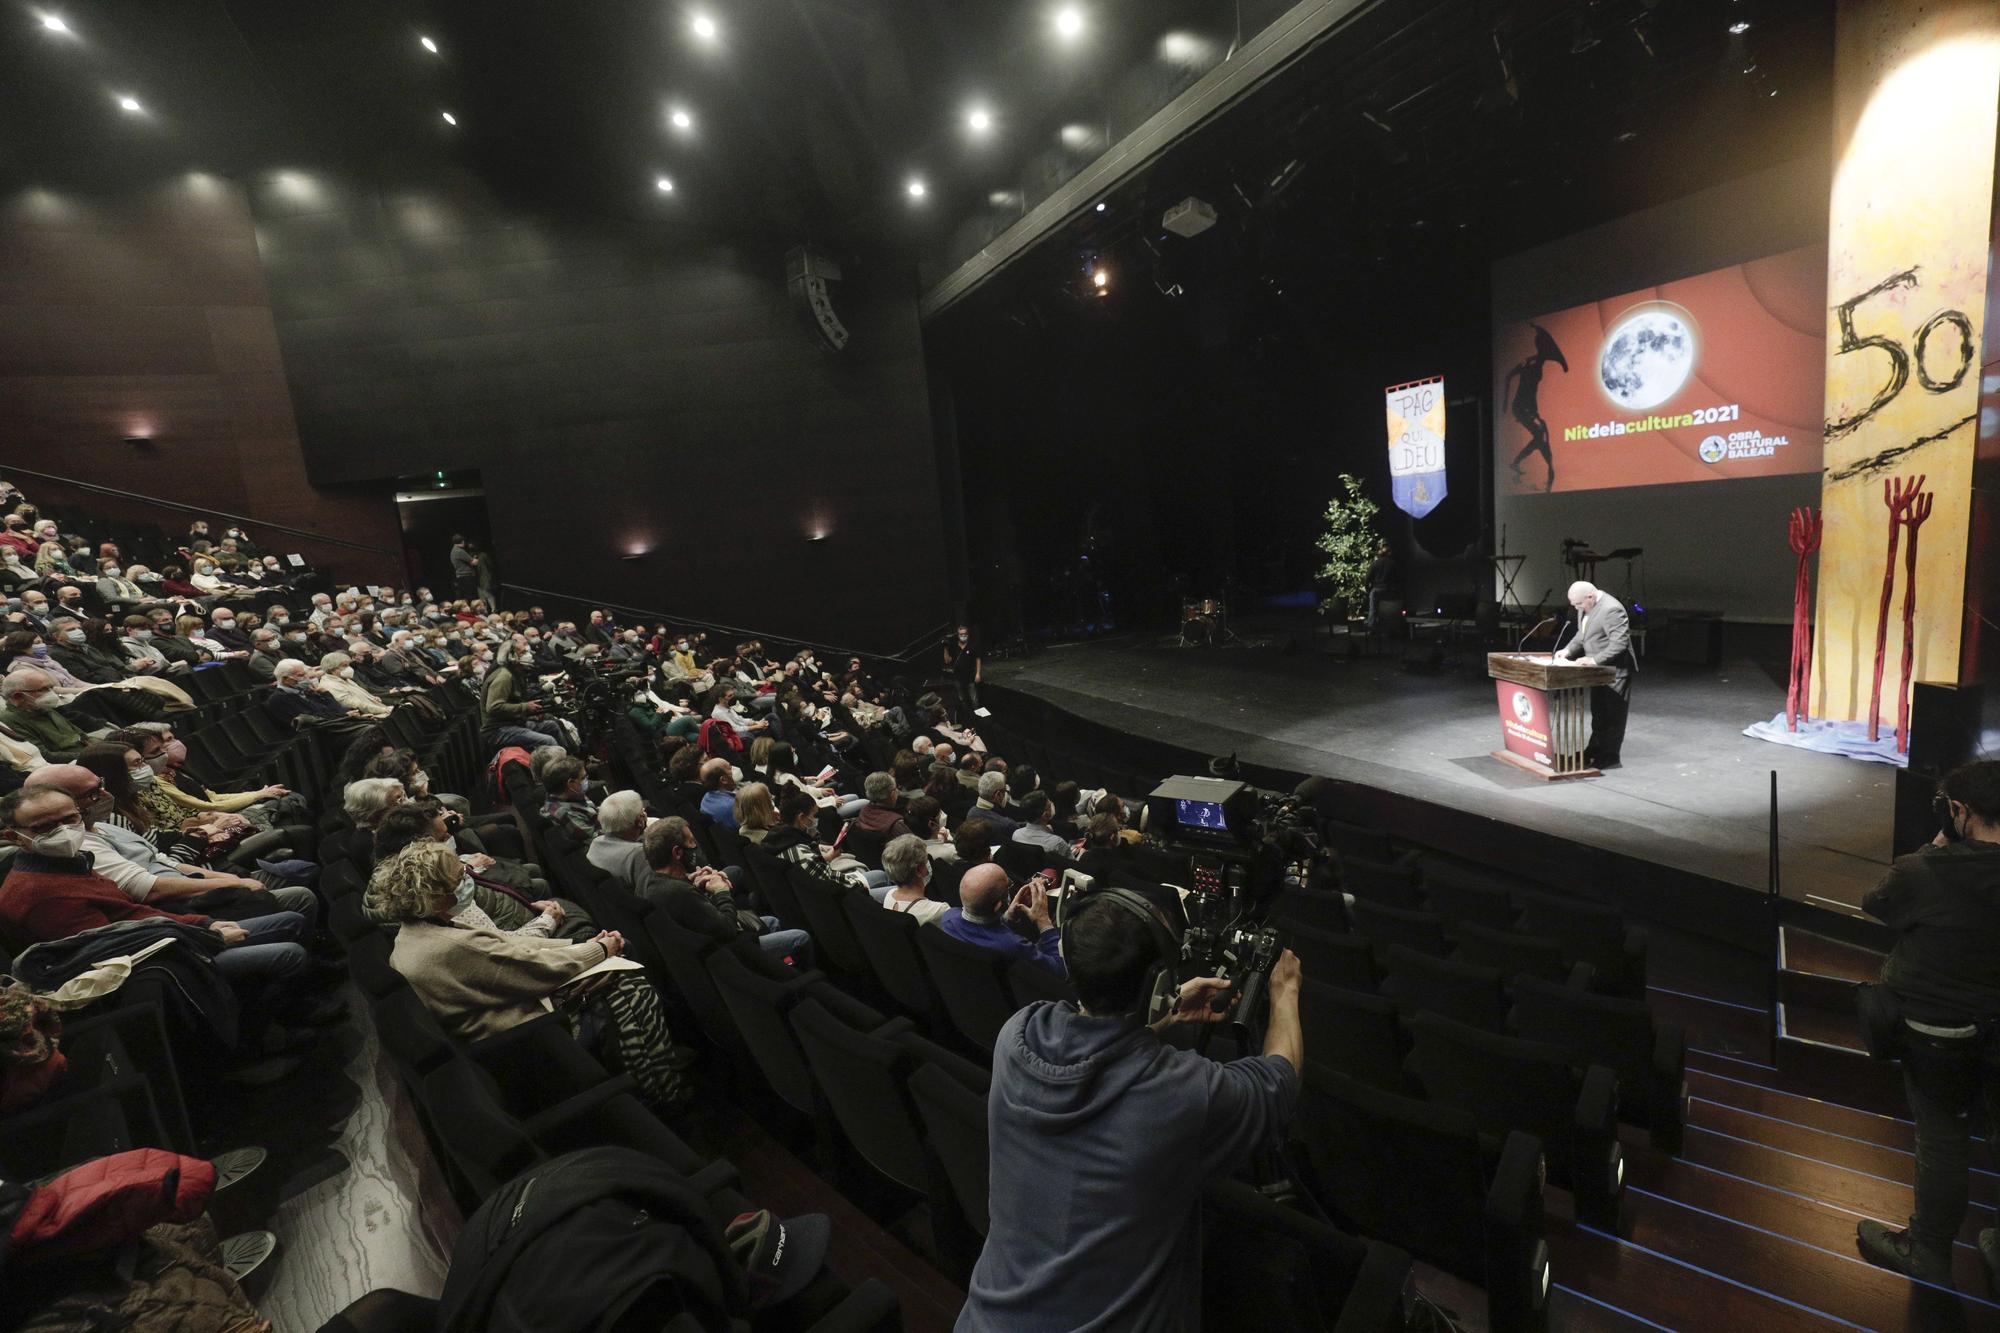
(481, 982)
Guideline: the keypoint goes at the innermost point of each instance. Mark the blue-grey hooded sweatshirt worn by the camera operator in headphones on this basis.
(1103, 1140)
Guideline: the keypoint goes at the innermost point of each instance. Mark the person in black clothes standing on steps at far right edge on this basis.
(1945, 974)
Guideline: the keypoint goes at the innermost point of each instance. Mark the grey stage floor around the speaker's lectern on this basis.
(1693, 792)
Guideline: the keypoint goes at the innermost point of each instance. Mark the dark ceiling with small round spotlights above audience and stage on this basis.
(1471, 127)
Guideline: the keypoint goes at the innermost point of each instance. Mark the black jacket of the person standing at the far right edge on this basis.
(1945, 908)
